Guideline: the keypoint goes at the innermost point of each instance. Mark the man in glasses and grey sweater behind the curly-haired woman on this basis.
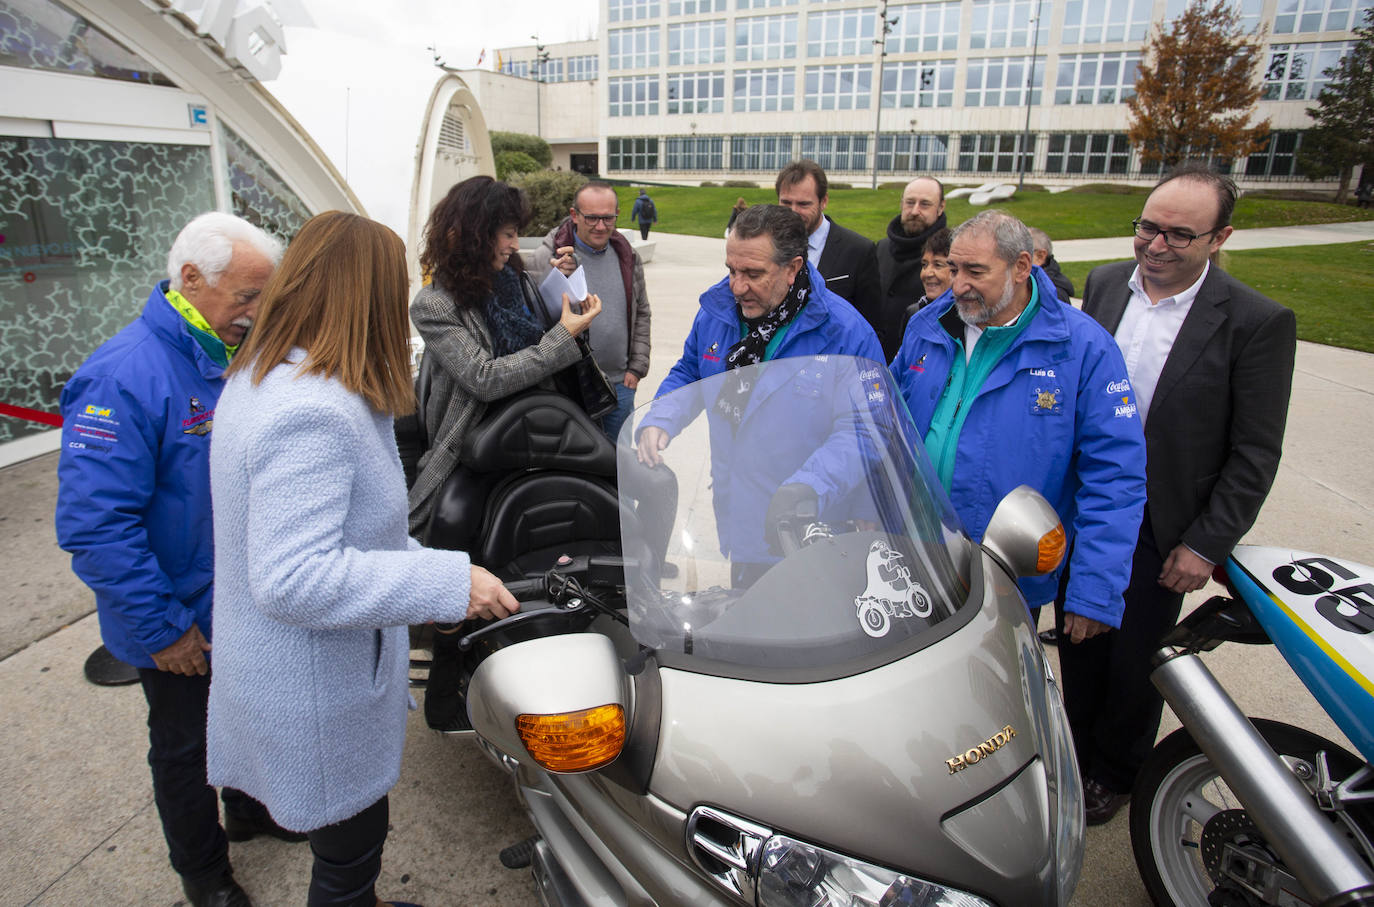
(620, 343)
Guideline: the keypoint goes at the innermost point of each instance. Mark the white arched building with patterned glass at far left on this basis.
(120, 122)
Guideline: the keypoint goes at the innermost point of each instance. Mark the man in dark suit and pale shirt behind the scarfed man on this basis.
(847, 260)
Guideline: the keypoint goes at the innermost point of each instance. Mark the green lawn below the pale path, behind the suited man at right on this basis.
(1331, 288)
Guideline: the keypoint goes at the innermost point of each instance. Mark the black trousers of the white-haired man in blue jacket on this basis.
(186, 800)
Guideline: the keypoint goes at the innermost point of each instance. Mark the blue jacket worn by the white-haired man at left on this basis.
(134, 482)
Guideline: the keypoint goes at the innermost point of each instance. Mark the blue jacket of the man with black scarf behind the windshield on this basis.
(767, 438)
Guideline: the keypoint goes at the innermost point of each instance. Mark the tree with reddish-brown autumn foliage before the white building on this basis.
(1197, 89)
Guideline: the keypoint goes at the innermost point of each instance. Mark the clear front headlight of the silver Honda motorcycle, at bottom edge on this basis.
(793, 873)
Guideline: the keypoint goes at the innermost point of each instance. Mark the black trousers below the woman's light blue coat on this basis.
(348, 860)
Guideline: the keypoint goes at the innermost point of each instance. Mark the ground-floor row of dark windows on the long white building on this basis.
(1068, 155)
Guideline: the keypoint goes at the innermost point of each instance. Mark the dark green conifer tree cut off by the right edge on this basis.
(1344, 116)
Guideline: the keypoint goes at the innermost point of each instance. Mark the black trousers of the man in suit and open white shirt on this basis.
(1114, 708)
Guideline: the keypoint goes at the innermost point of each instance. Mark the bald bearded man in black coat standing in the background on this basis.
(899, 258)
